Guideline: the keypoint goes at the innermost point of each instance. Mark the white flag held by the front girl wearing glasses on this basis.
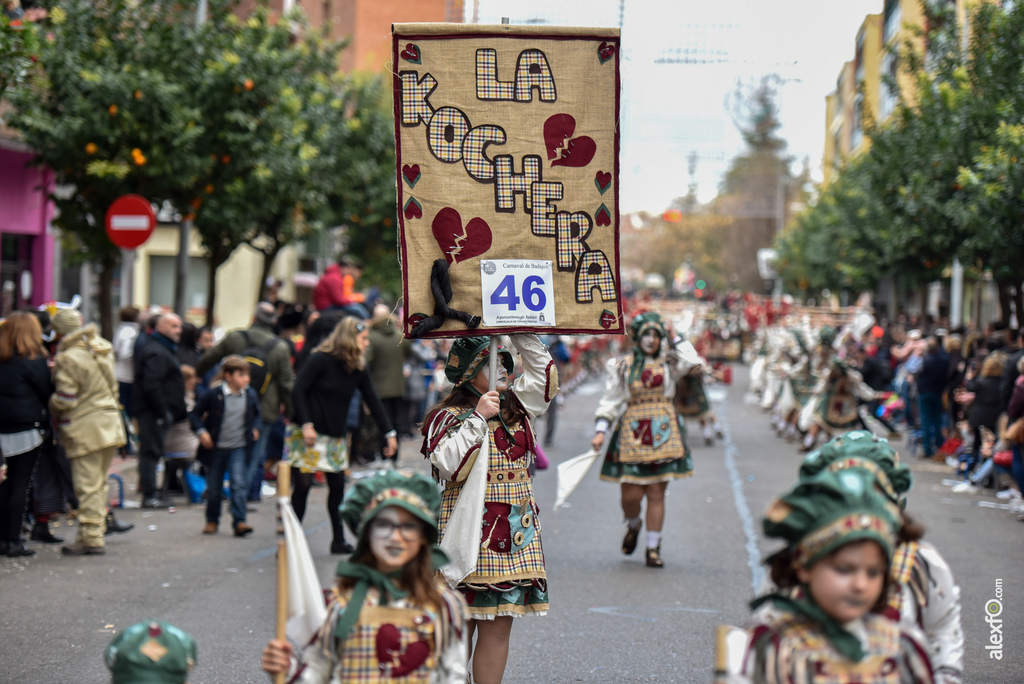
(307, 611)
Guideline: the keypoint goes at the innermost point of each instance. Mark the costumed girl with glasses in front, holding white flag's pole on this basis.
(392, 619)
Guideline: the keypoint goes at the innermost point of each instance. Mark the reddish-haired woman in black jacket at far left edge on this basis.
(25, 394)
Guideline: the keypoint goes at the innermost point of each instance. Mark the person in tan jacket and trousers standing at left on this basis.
(90, 421)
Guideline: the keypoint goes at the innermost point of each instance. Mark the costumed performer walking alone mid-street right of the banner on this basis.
(648, 448)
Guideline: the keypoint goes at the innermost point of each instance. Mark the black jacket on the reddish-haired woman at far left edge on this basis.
(25, 395)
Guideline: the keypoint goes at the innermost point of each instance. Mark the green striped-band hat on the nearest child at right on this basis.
(829, 510)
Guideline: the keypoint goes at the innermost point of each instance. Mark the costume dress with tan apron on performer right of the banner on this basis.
(649, 443)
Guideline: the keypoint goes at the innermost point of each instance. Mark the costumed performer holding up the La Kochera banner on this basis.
(482, 445)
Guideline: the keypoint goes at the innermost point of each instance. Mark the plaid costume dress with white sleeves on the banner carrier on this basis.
(509, 578)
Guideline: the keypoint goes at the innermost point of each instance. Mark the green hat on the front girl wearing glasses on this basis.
(413, 492)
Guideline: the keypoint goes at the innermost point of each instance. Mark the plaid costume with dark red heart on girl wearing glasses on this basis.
(400, 643)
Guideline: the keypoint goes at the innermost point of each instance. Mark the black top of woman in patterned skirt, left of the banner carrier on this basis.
(324, 391)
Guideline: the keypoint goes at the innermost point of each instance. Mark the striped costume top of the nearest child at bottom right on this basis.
(792, 650)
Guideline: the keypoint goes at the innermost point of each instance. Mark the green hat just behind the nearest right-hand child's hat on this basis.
(863, 451)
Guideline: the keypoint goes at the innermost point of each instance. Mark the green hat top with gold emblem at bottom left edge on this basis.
(151, 653)
